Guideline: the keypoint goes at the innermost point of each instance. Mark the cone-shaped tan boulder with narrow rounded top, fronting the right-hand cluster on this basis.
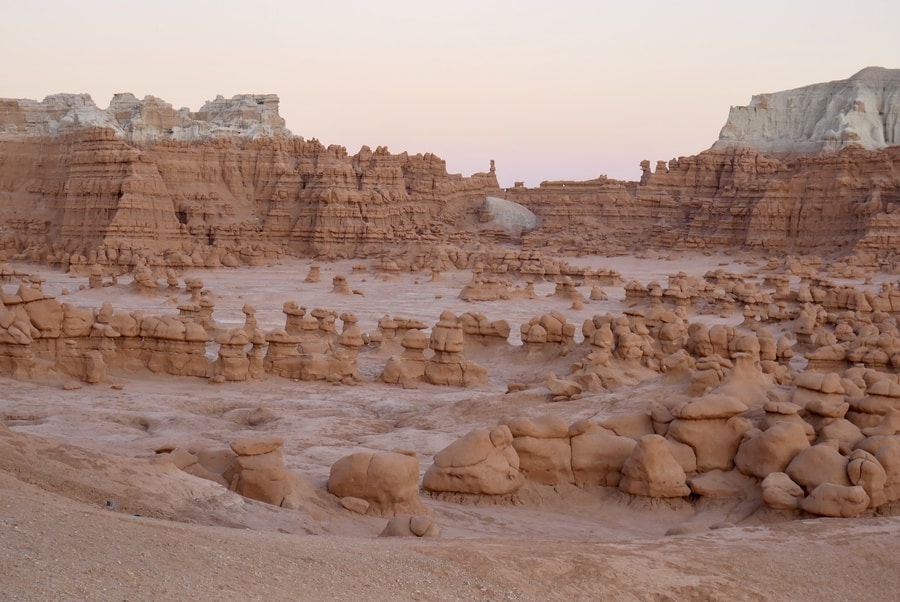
(652, 471)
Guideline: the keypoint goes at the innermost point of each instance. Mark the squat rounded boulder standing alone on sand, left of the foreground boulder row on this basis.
(389, 481)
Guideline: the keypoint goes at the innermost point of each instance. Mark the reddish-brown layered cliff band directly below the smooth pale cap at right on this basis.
(837, 203)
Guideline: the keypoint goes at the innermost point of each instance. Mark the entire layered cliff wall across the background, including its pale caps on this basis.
(229, 184)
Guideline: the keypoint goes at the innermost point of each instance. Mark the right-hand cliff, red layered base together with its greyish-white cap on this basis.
(816, 169)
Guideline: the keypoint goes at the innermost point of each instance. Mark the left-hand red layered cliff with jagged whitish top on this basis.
(142, 177)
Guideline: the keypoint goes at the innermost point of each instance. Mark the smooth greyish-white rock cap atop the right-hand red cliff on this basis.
(863, 110)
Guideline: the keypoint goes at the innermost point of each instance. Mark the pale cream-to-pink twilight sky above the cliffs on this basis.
(564, 90)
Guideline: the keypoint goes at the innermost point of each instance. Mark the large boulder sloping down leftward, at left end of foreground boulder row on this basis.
(481, 462)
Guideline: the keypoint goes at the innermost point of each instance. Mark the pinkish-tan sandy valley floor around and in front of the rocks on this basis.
(85, 513)
